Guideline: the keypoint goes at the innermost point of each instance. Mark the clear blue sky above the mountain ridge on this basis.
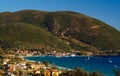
(107, 11)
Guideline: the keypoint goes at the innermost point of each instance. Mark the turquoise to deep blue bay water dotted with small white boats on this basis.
(104, 65)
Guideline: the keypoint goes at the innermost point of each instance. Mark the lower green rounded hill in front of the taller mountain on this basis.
(27, 36)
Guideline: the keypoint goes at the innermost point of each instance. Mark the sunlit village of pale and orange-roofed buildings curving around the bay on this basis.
(12, 63)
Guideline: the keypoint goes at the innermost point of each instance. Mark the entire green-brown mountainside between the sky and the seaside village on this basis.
(60, 31)
